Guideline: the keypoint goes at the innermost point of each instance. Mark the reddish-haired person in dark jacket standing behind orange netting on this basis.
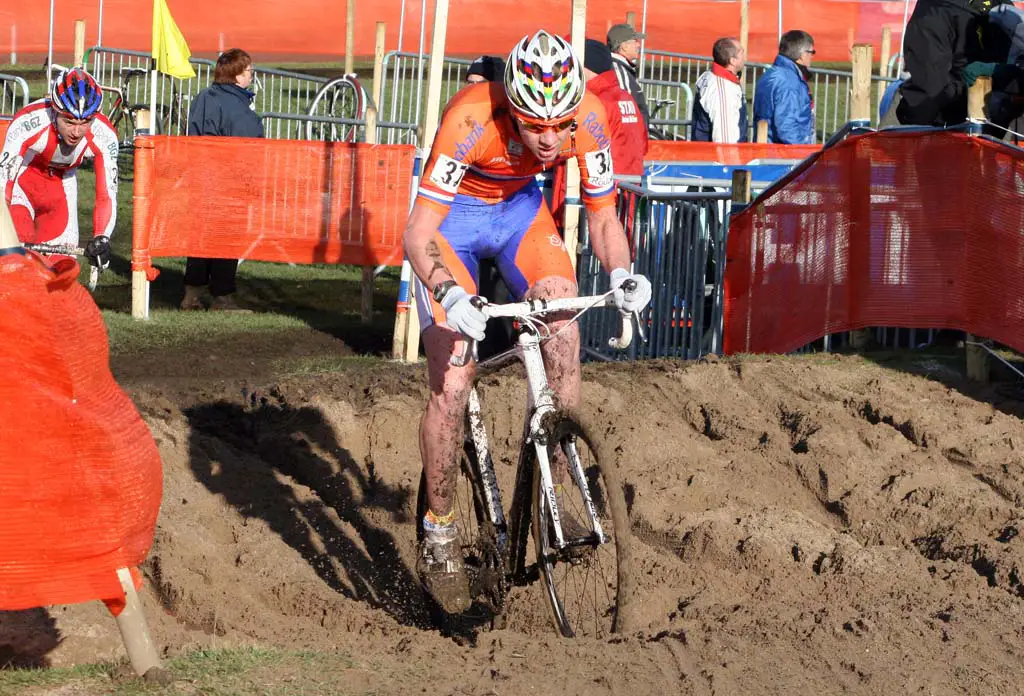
(225, 109)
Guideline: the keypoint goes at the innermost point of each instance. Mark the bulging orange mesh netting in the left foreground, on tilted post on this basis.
(80, 476)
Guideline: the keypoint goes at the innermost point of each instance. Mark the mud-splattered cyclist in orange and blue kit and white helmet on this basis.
(479, 199)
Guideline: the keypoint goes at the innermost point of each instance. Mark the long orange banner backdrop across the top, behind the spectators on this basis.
(274, 30)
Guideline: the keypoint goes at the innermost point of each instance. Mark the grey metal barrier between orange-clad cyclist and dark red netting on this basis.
(678, 242)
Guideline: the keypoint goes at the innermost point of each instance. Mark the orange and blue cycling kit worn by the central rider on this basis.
(482, 178)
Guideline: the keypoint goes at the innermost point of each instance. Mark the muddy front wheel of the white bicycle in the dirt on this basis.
(587, 586)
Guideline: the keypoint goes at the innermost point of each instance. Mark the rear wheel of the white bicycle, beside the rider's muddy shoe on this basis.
(479, 542)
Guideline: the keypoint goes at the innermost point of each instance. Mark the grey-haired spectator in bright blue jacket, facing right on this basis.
(784, 97)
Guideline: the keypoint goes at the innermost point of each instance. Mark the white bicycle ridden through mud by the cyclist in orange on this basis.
(495, 548)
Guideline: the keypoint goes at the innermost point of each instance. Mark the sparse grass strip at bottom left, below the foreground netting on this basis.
(238, 672)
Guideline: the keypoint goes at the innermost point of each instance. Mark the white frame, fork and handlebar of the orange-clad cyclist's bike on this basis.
(541, 407)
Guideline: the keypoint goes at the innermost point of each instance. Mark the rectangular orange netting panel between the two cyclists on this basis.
(270, 201)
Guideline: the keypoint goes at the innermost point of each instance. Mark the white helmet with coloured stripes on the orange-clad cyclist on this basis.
(543, 79)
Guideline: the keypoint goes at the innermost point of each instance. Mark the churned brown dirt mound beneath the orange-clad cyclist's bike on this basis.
(803, 527)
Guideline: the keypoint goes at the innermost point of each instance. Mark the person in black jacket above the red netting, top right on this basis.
(943, 37)
